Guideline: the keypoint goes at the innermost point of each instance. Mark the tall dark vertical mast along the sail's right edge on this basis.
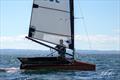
(72, 25)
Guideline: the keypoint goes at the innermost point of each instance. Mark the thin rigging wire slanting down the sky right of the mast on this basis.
(85, 26)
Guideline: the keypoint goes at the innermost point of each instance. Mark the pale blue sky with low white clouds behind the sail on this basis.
(97, 24)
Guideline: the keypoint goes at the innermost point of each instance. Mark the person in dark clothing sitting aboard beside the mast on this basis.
(62, 49)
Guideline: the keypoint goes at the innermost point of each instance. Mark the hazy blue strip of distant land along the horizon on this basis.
(13, 51)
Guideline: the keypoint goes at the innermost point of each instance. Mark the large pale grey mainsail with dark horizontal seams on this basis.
(51, 22)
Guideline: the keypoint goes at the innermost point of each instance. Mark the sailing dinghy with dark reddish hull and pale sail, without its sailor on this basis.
(52, 21)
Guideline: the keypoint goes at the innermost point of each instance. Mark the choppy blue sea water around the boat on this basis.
(108, 67)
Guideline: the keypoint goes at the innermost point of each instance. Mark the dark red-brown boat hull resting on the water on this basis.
(56, 65)
